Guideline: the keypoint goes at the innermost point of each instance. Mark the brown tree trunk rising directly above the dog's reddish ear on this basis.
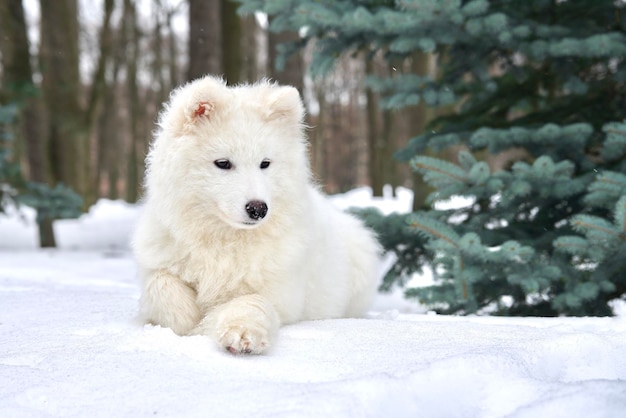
(205, 36)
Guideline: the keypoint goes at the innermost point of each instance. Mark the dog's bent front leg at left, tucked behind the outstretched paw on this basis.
(169, 302)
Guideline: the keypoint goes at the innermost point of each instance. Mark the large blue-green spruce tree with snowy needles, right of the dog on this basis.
(546, 235)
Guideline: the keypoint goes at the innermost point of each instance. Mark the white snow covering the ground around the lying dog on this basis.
(70, 346)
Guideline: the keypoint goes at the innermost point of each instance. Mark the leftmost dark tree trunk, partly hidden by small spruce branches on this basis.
(18, 85)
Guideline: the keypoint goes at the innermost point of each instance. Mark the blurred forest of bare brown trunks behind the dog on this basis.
(92, 77)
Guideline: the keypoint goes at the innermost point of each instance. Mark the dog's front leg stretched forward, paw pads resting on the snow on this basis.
(247, 324)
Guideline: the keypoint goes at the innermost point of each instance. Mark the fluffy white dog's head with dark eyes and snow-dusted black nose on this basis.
(234, 153)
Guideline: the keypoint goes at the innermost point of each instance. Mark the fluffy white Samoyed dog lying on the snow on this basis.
(235, 239)
